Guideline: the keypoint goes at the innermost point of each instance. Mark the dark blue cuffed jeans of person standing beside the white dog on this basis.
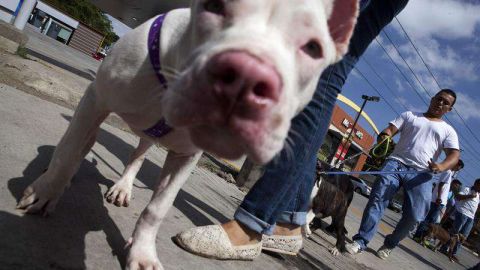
(282, 194)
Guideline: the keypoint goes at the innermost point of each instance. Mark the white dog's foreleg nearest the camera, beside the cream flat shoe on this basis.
(176, 170)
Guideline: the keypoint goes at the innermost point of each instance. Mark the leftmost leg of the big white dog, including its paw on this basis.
(44, 193)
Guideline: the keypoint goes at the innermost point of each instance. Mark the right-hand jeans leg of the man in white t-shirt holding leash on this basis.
(417, 197)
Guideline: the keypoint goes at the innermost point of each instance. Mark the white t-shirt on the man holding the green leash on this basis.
(422, 139)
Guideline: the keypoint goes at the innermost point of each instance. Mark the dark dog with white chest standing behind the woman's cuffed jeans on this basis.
(331, 197)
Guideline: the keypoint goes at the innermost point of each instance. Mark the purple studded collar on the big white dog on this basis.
(160, 128)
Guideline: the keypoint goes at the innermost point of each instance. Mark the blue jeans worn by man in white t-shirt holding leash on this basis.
(417, 197)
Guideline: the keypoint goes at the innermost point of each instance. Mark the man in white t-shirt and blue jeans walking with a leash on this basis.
(423, 136)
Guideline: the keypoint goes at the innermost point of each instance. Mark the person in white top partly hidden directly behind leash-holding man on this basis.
(439, 199)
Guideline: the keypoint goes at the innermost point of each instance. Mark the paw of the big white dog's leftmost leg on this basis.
(41, 196)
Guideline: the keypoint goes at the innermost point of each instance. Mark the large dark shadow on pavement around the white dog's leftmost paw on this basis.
(58, 242)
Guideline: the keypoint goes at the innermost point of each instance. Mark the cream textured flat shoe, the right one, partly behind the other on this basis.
(289, 245)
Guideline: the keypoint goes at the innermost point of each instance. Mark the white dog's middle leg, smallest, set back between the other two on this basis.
(121, 193)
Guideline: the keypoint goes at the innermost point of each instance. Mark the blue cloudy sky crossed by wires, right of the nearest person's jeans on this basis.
(446, 35)
